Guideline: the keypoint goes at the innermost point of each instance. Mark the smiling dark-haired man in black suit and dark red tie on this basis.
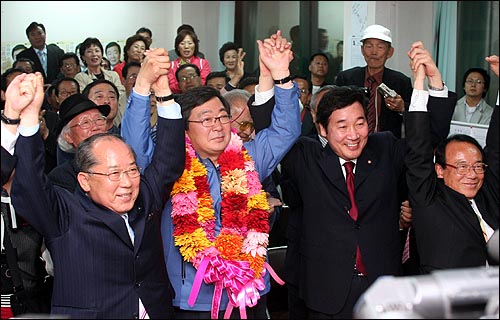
(330, 274)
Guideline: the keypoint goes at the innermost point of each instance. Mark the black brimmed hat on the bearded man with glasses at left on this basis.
(73, 106)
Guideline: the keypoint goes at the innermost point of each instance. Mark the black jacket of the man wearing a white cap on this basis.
(389, 120)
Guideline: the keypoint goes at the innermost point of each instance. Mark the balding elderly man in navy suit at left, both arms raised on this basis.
(105, 238)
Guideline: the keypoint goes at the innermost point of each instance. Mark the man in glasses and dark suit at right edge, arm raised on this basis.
(455, 198)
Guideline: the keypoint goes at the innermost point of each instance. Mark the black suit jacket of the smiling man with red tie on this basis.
(322, 241)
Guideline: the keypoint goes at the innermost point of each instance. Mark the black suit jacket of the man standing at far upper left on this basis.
(54, 56)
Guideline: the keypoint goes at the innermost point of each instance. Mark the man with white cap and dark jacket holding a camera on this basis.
(383, 114)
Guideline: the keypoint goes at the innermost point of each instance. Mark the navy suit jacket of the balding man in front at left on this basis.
(99, 273)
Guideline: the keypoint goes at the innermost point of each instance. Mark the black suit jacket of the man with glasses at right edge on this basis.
(446, 227)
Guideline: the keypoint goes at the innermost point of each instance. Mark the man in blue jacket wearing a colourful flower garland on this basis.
(215, 225)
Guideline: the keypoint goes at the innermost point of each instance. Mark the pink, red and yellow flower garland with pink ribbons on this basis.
(234, 259)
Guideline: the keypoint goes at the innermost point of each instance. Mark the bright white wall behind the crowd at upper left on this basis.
(68, 23)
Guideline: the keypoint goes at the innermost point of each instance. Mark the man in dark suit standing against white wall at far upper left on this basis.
(46, 57)
